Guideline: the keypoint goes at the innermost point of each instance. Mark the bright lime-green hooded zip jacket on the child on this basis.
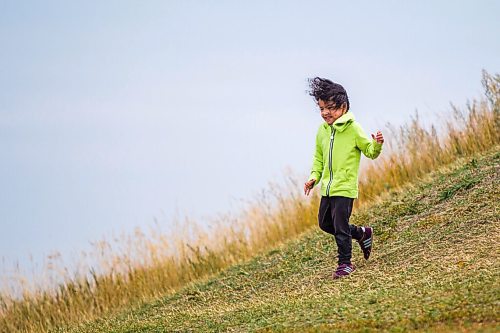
(337, 155)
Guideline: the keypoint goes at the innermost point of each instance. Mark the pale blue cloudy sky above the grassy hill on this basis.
(113, 113)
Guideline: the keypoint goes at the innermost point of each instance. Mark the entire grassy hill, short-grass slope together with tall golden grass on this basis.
(435, 259)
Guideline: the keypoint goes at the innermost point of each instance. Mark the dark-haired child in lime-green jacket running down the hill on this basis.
(339, 143)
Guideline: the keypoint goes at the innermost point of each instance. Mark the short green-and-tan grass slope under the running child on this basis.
(435, 267)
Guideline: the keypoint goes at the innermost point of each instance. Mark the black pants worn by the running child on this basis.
(333, 217)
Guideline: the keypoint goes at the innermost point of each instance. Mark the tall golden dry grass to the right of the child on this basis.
(413, 150)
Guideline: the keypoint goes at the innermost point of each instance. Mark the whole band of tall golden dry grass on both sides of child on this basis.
(139, 267)
